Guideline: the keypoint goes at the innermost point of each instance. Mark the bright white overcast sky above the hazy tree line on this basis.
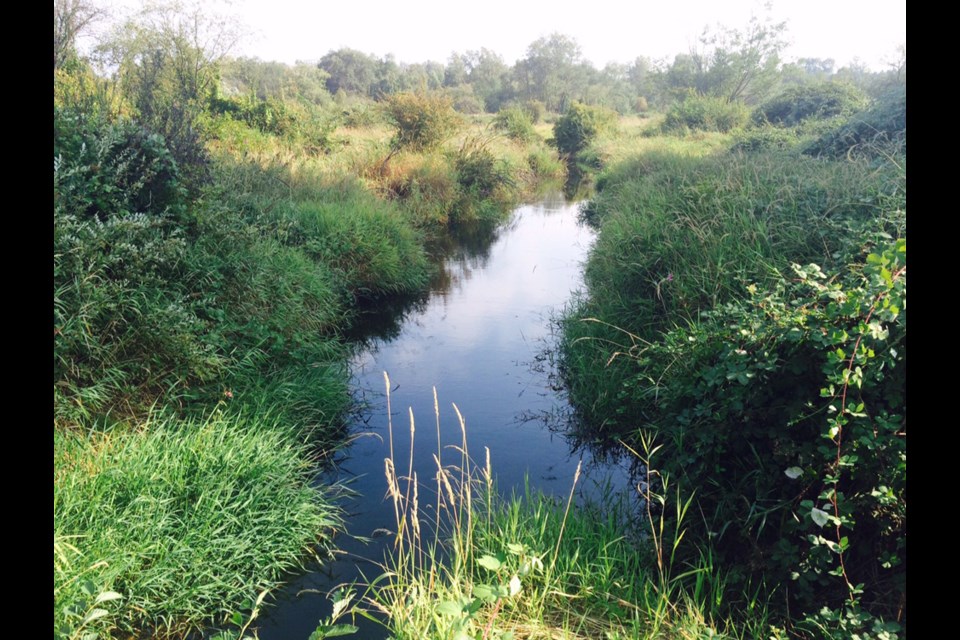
(607, 30)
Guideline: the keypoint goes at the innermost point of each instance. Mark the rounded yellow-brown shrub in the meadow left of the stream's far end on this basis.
(421, 120)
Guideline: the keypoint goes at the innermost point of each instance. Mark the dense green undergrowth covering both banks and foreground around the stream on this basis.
(746, 304)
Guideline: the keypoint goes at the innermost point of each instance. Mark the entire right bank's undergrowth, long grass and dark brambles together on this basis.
(749, 307)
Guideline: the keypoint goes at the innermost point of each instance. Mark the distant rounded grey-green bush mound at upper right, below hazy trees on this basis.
(802, 102)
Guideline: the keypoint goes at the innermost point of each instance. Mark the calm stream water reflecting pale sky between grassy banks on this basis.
(480, 338)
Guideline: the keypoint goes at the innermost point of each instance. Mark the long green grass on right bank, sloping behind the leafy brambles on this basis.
(680, 235)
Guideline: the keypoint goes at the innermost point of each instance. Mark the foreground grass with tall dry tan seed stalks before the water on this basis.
(530, 565)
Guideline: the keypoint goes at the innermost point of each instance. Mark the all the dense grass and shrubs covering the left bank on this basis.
(202, 288)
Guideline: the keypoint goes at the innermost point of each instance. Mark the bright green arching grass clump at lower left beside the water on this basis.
(185, 519)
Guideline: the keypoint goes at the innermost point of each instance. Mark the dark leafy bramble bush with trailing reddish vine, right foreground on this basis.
(788, 410)
